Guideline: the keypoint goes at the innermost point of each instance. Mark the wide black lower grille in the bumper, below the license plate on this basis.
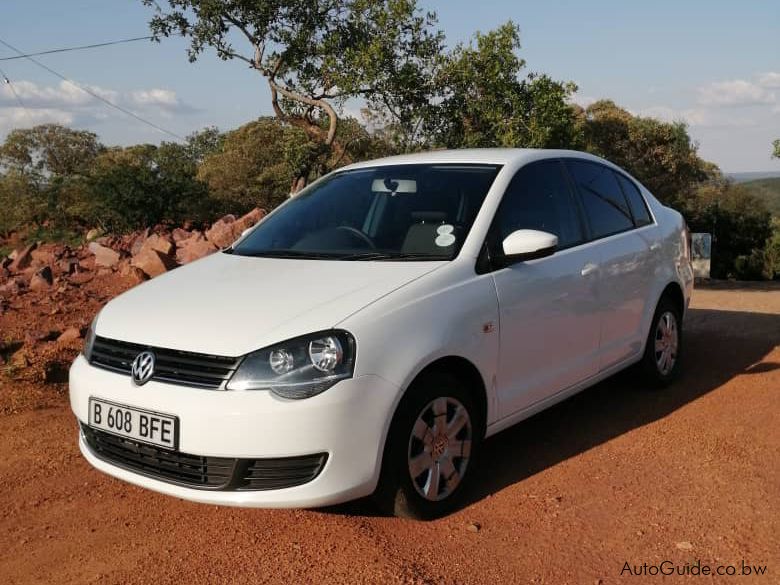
(211, 473)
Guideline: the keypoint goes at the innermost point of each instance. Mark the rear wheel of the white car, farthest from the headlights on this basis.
(663, 351)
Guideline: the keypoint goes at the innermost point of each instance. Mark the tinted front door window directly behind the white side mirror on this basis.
(538, 198)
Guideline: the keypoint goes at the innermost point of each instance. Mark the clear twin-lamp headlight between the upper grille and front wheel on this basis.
(298, 368)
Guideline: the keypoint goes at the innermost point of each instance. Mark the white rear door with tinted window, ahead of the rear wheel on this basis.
(627, 254)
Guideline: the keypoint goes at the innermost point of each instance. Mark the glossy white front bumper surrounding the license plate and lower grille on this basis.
(349, 422)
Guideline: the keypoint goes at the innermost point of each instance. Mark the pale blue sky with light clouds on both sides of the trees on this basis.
(714, 64)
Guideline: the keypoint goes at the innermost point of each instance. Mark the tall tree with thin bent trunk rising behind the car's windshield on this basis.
(315, 55)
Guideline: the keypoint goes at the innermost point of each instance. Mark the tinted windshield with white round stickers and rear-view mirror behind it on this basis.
(398, 212)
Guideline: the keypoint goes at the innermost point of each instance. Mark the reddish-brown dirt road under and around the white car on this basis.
(615, 475)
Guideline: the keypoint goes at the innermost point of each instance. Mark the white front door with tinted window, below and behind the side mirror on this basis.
(549, 314)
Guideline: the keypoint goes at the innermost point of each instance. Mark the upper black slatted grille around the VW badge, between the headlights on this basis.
(171, 365)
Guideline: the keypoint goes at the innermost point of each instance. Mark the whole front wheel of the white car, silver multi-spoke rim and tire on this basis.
(431, 449)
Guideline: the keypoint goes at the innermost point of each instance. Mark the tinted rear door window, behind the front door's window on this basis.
(605, 206)
